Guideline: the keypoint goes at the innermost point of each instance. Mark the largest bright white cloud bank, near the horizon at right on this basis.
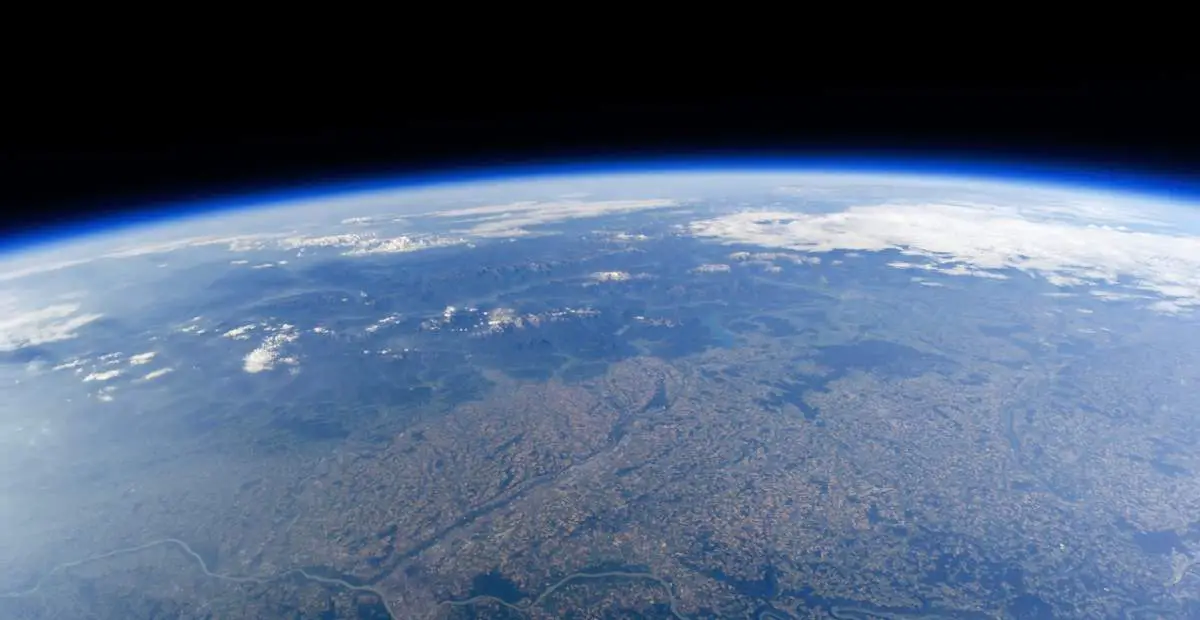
(981, 240)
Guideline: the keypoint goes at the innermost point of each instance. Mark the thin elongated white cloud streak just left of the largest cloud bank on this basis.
(513, 219)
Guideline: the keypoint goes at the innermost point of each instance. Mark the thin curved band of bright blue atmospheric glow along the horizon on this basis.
(1043, 173)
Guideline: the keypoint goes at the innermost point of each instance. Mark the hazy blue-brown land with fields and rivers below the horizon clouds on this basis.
(539, 432)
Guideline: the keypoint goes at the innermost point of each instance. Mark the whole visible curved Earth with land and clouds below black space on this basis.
(655, 395)
